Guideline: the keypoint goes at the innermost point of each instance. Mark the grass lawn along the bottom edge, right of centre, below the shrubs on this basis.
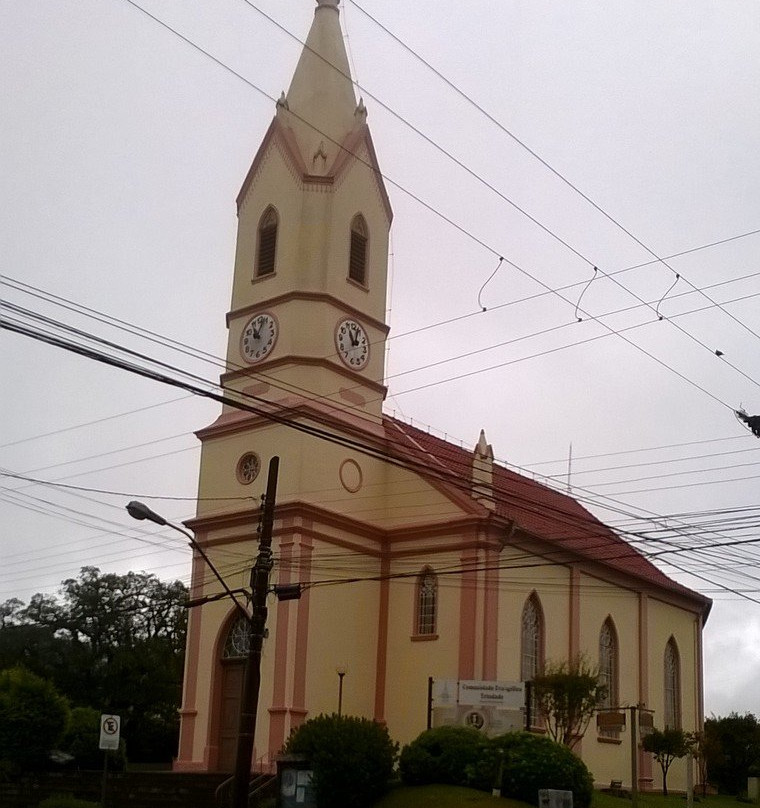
(455, 796)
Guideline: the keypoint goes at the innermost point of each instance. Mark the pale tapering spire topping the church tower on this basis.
(321, 96)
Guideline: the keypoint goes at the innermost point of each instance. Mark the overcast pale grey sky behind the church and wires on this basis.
(122, 149)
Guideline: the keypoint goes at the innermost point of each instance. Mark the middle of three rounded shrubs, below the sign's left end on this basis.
(441, 755)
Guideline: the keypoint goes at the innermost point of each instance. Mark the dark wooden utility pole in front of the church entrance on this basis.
(252, 677)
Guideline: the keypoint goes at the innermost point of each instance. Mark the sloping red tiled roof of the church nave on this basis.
(548, 515)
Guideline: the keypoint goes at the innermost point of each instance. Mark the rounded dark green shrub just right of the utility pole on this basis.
(352, 759)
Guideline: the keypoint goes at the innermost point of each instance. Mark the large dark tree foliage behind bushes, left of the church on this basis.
(111, 642)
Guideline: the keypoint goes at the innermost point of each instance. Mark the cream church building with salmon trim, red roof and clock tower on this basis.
(417, 558)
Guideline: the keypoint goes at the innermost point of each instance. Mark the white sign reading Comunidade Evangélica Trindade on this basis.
(491, 707)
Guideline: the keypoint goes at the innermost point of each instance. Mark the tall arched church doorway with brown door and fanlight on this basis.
(232, 662)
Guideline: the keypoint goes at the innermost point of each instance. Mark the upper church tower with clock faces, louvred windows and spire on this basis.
(307, 319)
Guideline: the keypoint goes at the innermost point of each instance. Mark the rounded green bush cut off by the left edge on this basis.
(33, 718)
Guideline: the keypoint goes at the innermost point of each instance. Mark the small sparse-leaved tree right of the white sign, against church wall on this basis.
(567, 694)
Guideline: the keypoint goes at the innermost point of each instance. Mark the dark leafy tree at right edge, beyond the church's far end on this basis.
(732, 750)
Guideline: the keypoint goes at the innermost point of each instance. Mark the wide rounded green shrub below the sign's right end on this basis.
(532, 762)
